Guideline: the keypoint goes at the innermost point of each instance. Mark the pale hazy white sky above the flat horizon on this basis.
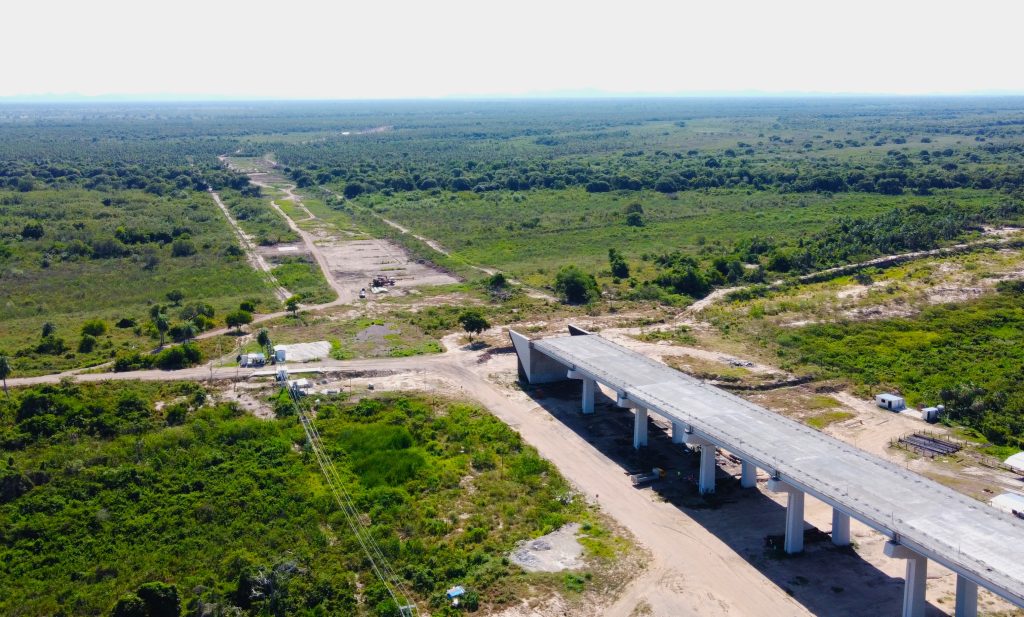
(428, 49)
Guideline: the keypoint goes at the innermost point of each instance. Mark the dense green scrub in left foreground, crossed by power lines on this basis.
(103, 495)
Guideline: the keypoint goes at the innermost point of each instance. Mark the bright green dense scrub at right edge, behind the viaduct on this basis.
(966, 357)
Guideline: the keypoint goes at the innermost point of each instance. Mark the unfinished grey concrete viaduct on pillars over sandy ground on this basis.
(922, 519)
